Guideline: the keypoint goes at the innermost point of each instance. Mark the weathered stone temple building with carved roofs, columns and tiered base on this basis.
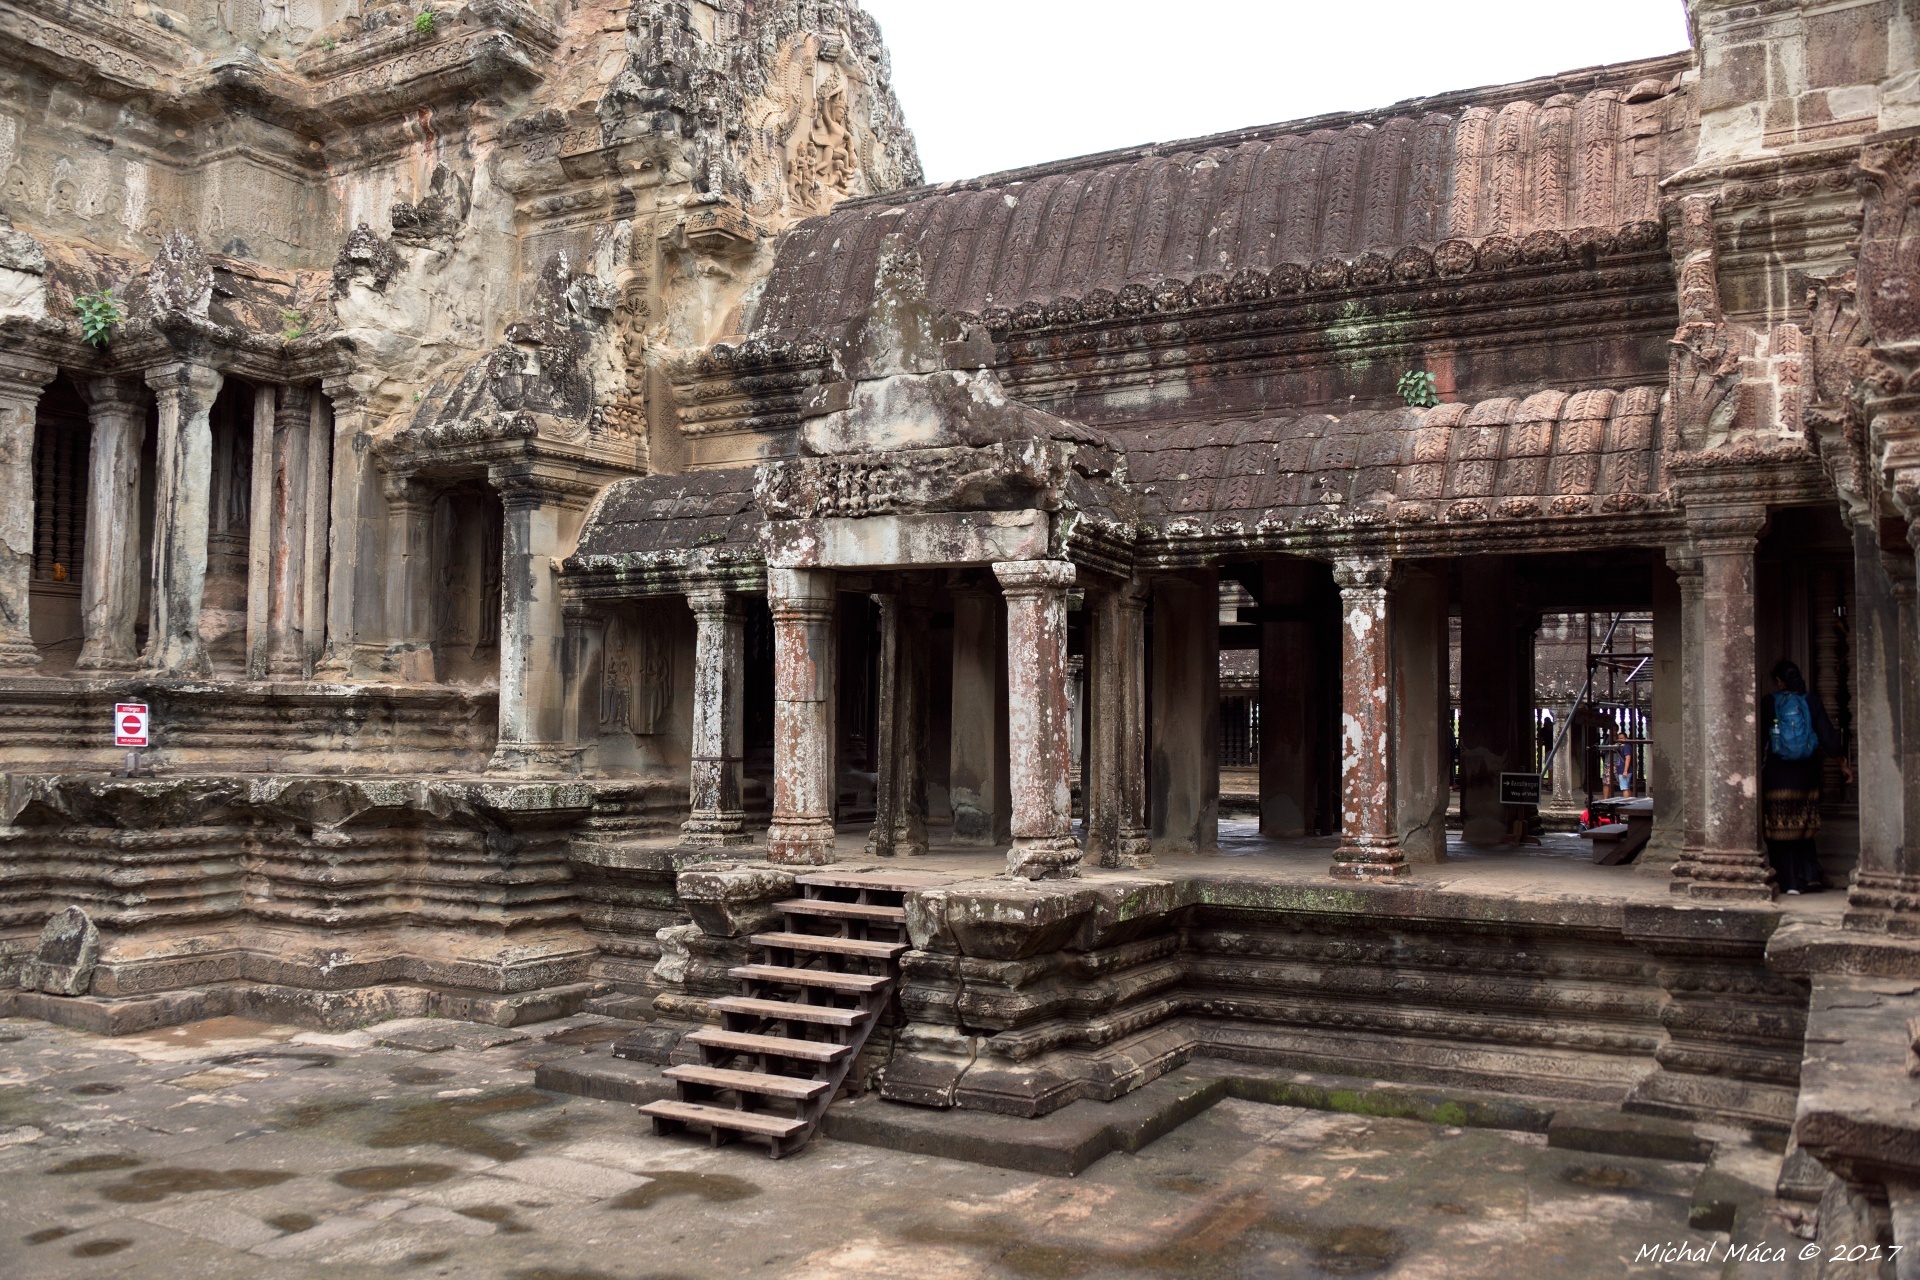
(587, 517)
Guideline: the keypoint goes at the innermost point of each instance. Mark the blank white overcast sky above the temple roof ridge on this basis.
(994, 85)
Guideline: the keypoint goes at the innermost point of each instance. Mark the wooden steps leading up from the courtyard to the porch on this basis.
(804, 1016)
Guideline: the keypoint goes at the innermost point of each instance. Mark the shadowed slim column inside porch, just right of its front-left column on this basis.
(901, 786)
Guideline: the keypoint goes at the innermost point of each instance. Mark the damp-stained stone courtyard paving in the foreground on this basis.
(235, 1149)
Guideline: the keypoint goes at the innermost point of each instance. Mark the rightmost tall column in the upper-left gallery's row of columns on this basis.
(352, 594)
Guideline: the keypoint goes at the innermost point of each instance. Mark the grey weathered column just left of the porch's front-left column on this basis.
(717, 817)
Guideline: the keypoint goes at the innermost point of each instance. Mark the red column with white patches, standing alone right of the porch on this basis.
(1370, 817)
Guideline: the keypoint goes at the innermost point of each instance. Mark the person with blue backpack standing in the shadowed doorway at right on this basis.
(1798, 740)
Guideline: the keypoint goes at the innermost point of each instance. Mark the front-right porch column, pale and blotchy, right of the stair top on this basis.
(1040, 726)
